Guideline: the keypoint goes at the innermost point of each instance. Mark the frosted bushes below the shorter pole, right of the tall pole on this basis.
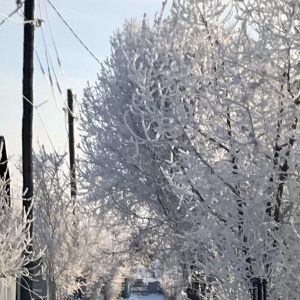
(77, 247)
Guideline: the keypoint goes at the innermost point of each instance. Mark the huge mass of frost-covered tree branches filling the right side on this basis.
(192, 127)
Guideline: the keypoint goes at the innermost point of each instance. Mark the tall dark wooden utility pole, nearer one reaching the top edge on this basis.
(28, 53)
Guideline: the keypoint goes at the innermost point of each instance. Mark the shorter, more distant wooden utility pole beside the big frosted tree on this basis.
(72, 145)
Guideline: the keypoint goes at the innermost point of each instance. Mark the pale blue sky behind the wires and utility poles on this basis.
(94, 22)
